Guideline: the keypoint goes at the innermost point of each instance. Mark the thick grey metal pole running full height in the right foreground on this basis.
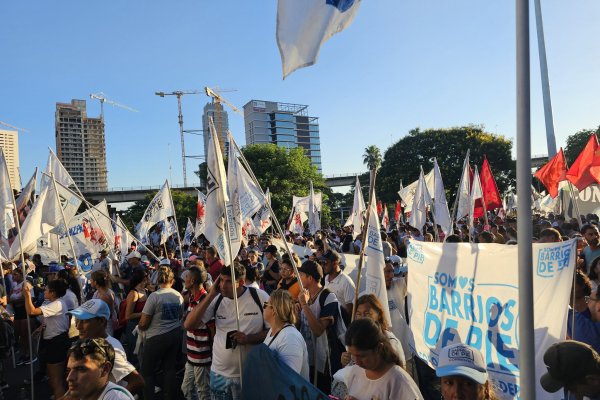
(524, 219)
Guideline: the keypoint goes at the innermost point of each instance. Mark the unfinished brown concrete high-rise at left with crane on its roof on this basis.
(80, 145)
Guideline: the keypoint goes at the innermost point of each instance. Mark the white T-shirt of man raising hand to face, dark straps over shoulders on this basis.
(226, 361)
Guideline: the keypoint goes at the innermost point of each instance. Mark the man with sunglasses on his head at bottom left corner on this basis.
(90, 362)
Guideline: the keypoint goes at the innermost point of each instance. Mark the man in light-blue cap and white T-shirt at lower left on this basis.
(91, 320)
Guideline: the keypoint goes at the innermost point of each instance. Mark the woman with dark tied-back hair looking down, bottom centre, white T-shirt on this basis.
(377, 373)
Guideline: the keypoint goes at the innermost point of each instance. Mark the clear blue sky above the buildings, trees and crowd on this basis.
(400, 65)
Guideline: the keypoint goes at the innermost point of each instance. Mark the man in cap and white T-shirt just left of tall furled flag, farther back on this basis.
(336, 280)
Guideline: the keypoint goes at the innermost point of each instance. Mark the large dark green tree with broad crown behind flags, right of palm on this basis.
(449, 146)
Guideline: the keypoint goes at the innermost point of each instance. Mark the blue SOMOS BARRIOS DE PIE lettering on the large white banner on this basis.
(490, 314)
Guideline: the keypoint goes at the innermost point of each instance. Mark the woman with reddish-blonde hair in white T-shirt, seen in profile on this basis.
(283, 337)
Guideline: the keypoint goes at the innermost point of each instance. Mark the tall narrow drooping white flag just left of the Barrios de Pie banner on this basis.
(375, 282)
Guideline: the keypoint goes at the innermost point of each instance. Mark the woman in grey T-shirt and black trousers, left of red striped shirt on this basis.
(161, 323)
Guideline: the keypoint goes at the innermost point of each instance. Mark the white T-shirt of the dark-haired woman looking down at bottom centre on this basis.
(396, 384)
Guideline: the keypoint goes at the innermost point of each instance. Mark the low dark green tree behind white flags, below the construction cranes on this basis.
(185, 207)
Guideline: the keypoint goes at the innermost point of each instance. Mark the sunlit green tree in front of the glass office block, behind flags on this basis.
(286, 172)
